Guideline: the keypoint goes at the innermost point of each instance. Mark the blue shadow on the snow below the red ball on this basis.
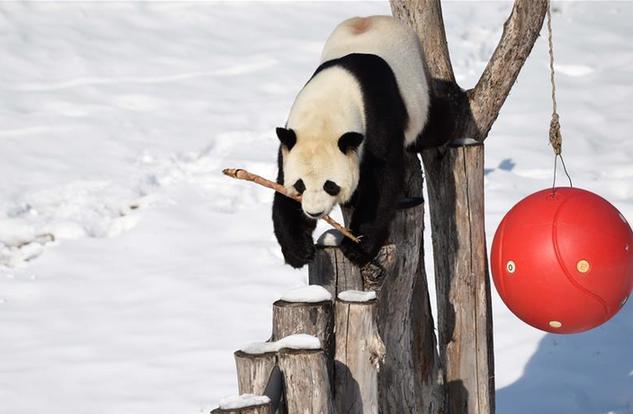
(587, 373)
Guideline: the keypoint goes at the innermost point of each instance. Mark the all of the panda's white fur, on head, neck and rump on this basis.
(331, 104)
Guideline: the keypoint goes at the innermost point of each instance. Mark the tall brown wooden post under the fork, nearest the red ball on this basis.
(461, 278)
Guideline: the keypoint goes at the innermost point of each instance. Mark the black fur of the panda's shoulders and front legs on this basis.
(381, 169)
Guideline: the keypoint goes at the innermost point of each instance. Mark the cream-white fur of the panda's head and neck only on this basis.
(316, 152)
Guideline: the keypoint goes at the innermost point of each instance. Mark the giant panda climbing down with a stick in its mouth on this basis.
(346, 134)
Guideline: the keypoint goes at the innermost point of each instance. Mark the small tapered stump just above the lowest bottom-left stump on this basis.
(253, 371)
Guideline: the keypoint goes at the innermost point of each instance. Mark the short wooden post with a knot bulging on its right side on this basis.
(359, 352)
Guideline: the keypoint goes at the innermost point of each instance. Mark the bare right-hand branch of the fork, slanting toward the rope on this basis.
(519, 34)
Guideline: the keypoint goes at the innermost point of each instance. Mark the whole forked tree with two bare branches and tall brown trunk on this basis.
(455, 176)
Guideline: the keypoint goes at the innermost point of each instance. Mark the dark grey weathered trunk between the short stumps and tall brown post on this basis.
(408, 379)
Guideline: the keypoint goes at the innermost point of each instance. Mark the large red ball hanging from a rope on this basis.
(562, 260)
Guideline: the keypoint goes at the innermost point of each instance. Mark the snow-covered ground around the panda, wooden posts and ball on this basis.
(115, 120)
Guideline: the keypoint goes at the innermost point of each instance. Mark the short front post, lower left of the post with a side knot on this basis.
(306, 381)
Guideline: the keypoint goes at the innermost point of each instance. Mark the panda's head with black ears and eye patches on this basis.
(323, 171)
